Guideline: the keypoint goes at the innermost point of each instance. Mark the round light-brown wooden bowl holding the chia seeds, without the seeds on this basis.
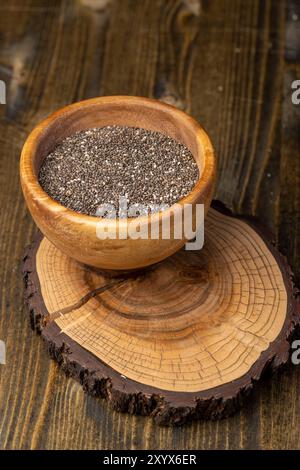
(75, 234)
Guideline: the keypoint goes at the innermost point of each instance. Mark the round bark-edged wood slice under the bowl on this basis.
(184, 339)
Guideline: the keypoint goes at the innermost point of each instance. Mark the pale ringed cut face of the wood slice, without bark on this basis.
(147, 328)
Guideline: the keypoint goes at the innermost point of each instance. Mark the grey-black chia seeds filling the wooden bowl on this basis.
(97, 166)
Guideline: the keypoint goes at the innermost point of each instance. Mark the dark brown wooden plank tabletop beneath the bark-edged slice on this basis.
(230, 64)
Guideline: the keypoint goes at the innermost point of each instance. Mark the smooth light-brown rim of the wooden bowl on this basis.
(30, 180)
